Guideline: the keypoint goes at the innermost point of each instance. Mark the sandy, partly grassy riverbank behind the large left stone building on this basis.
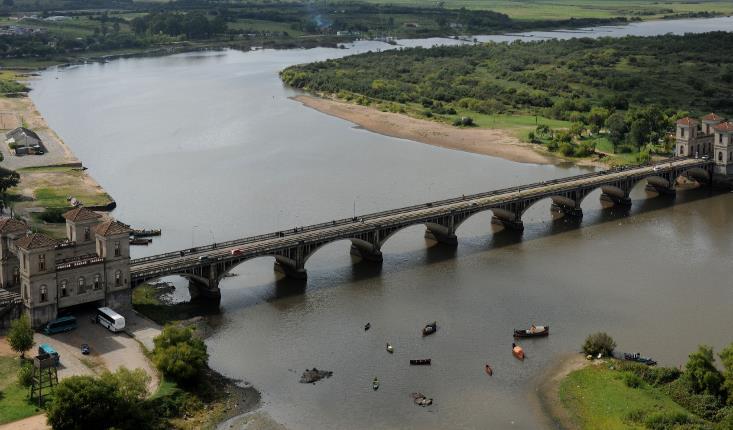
(47, 180)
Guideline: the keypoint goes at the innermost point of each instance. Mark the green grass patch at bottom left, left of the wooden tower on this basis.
(14, 404)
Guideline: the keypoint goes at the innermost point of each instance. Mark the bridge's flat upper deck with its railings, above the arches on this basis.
(345, 228)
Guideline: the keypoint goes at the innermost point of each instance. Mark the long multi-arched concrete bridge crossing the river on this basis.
(205, 266)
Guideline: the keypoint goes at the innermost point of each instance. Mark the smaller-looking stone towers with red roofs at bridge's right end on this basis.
(711, 136)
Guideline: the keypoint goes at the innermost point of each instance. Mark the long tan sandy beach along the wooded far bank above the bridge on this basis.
(493, 142)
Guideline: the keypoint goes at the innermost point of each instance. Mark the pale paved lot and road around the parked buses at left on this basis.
(109, 351)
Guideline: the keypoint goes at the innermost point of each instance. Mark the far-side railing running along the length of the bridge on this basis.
(390, 212)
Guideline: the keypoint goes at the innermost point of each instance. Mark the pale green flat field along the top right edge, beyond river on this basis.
(563, 9)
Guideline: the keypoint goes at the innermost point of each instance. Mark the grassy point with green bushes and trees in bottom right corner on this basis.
(627, 395)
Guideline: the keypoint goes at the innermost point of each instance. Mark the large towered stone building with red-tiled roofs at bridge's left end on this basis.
(90, 266)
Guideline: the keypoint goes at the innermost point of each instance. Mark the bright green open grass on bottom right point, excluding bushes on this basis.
(598, 398)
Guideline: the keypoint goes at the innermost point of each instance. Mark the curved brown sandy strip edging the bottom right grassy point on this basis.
(548, 391)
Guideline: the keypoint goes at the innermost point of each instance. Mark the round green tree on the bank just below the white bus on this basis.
(178, 354)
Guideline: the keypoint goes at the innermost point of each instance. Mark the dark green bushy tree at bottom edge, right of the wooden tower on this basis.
(82, 402)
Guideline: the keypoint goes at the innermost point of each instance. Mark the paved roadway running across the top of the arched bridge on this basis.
(343, 228)
